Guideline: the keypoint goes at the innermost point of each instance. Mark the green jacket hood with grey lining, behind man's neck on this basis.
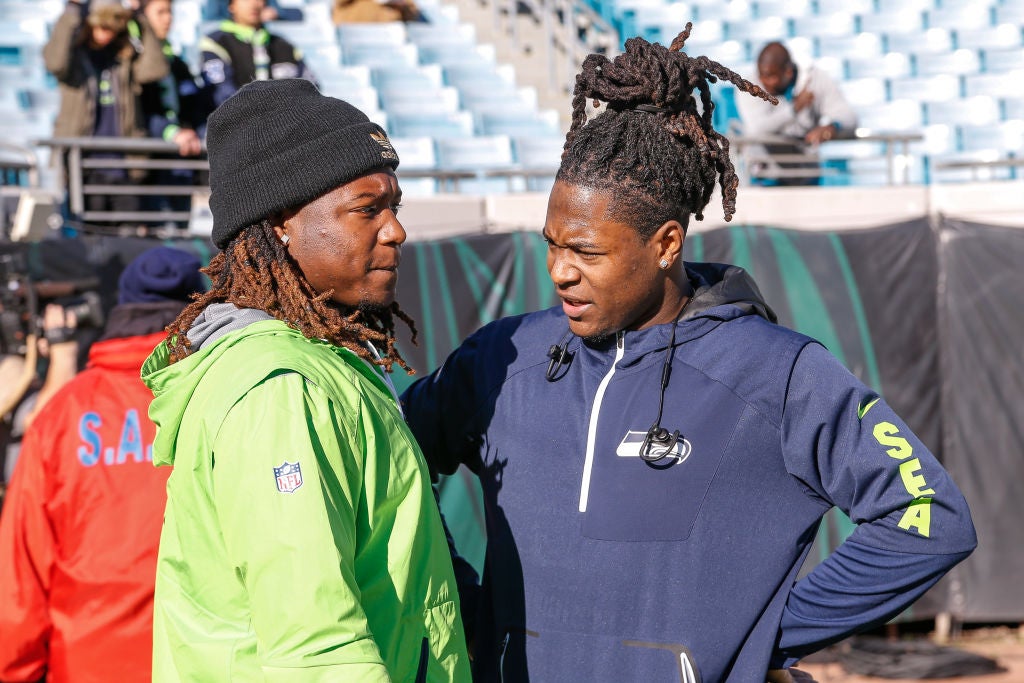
(174, 386)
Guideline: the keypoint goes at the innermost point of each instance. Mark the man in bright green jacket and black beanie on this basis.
(302, 541)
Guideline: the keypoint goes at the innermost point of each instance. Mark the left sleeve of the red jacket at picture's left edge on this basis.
(28, 548)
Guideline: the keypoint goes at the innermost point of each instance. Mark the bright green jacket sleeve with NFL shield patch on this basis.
(294, 546)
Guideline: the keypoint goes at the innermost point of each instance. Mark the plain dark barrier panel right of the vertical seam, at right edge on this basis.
(983, 344)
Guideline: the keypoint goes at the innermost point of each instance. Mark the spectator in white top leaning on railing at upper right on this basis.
(812, 108)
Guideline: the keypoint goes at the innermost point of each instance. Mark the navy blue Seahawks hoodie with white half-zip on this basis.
(603, 568)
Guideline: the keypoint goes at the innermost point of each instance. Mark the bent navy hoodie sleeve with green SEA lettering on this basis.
(849, 448)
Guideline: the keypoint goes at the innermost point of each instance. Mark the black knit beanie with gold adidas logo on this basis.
(280, 145)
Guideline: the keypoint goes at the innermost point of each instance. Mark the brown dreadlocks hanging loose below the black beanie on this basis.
(255, 272)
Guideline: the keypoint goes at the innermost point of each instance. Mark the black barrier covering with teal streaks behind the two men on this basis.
(875, 297)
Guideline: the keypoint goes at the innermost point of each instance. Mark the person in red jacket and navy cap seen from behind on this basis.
(81, 526)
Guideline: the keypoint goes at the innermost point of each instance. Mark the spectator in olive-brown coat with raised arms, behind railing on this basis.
(102, 70)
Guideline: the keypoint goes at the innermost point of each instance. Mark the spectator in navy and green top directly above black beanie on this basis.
(242, 52)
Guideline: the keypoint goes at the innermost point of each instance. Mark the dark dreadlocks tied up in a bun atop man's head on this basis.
(653, 147)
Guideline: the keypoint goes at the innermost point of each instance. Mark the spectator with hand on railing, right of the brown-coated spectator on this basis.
(175, 106)
